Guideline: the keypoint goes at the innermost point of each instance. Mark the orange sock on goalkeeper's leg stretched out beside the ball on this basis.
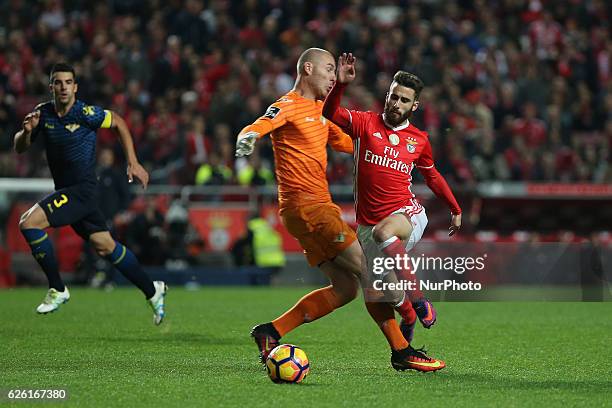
(314, 305)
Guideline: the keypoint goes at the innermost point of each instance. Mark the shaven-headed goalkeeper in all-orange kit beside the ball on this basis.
(300, 135)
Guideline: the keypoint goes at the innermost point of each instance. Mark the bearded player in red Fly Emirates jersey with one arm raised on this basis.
(390, 219)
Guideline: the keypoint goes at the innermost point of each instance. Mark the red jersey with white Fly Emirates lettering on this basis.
(384, 159)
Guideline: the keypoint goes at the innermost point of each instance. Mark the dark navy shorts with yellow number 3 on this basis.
(76, 206)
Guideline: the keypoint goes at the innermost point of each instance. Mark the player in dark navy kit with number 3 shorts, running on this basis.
(67, 128)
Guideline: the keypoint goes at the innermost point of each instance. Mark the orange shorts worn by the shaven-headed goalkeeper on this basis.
(320, 230)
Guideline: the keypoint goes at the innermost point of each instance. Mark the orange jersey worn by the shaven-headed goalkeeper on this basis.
(300, 135)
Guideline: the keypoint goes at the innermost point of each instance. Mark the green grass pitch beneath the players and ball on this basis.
(105, 351)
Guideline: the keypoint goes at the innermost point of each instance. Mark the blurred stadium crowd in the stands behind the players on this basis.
(515, 89)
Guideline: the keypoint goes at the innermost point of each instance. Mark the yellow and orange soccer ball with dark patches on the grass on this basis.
(287, 364)
